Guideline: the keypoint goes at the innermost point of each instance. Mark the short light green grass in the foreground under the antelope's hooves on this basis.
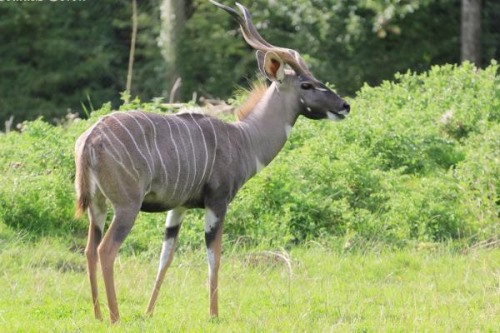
(308, 289)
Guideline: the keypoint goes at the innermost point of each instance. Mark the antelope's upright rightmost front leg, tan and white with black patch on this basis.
(214, 220)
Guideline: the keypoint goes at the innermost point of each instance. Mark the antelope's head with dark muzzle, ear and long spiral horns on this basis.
(315, 99)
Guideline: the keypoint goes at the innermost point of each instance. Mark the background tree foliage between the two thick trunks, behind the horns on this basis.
(344, 42)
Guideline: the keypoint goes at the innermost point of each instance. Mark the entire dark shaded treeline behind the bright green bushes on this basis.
(57, 57)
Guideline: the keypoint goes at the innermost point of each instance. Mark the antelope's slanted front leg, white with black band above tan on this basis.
(172, 226)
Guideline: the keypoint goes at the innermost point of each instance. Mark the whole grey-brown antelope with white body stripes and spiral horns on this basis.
(139, 161)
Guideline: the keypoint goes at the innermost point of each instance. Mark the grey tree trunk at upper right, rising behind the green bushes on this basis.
(471, 31)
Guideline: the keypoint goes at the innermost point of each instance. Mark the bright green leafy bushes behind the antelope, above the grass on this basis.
(417, 162)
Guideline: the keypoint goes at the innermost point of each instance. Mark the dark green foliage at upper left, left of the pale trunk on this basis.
(57, 56)
